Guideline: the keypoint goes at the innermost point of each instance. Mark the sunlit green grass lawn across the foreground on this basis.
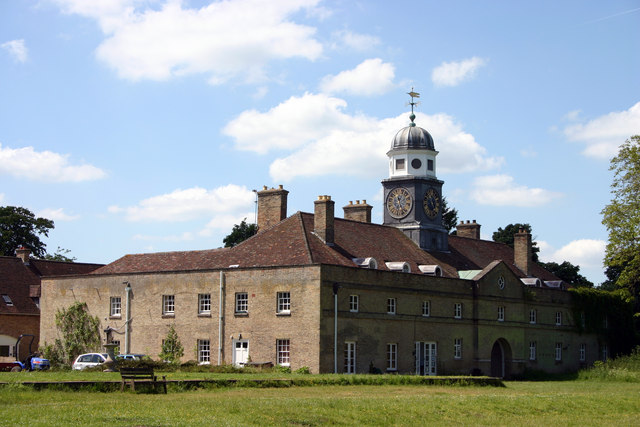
(519, 403)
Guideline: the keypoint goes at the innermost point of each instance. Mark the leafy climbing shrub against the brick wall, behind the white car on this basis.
(80, 334)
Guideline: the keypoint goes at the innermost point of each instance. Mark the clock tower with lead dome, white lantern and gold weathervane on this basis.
(412, 193)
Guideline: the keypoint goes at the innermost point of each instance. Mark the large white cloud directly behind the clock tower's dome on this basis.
(325, 140)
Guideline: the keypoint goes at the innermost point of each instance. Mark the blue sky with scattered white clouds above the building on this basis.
(143, 126)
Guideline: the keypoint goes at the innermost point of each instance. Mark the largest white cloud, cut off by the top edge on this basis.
(223, 40)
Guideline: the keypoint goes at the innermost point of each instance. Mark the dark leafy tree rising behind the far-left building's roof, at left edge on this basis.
(20, 227)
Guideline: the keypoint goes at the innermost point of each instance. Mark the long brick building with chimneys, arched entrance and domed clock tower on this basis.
(344, 294)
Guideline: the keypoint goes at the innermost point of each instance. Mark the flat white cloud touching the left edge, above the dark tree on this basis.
(44, 166)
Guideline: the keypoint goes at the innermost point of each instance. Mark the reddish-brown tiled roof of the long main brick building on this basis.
(292, 242)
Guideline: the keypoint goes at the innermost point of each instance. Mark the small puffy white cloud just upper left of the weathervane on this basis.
(371, 77)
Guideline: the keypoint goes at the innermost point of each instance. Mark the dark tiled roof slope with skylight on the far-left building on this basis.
(15, 282)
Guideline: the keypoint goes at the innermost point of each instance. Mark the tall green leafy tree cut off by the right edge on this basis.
(621, 217)
